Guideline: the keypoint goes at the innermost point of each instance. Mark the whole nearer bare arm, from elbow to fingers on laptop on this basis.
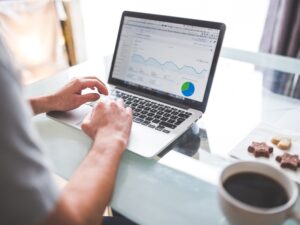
(87, 194)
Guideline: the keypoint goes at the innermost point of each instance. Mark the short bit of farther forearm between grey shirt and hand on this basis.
(41, 104)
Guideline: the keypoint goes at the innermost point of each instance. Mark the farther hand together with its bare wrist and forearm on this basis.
(70, 96)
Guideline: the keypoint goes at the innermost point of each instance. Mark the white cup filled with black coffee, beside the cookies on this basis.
(256, 193)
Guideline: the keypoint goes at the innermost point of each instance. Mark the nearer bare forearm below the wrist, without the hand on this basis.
(95, 178)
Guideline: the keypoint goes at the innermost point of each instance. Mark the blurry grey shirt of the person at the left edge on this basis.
(27, 191)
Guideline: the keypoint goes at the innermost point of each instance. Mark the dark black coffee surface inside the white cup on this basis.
(256, 190)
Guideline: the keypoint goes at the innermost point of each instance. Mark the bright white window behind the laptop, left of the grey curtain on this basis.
(244, 19)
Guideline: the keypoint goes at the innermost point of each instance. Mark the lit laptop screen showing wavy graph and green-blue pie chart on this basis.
(168, 58)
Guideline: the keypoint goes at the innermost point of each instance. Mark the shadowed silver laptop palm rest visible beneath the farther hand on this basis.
(72, 117)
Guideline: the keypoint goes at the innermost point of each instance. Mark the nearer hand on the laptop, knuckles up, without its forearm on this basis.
(109, 122)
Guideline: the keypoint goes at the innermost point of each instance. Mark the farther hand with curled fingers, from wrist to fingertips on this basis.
(70, 96)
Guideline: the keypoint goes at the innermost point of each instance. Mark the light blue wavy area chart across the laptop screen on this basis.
(168, 65)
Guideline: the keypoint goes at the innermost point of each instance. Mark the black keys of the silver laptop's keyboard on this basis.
(152, 114)
